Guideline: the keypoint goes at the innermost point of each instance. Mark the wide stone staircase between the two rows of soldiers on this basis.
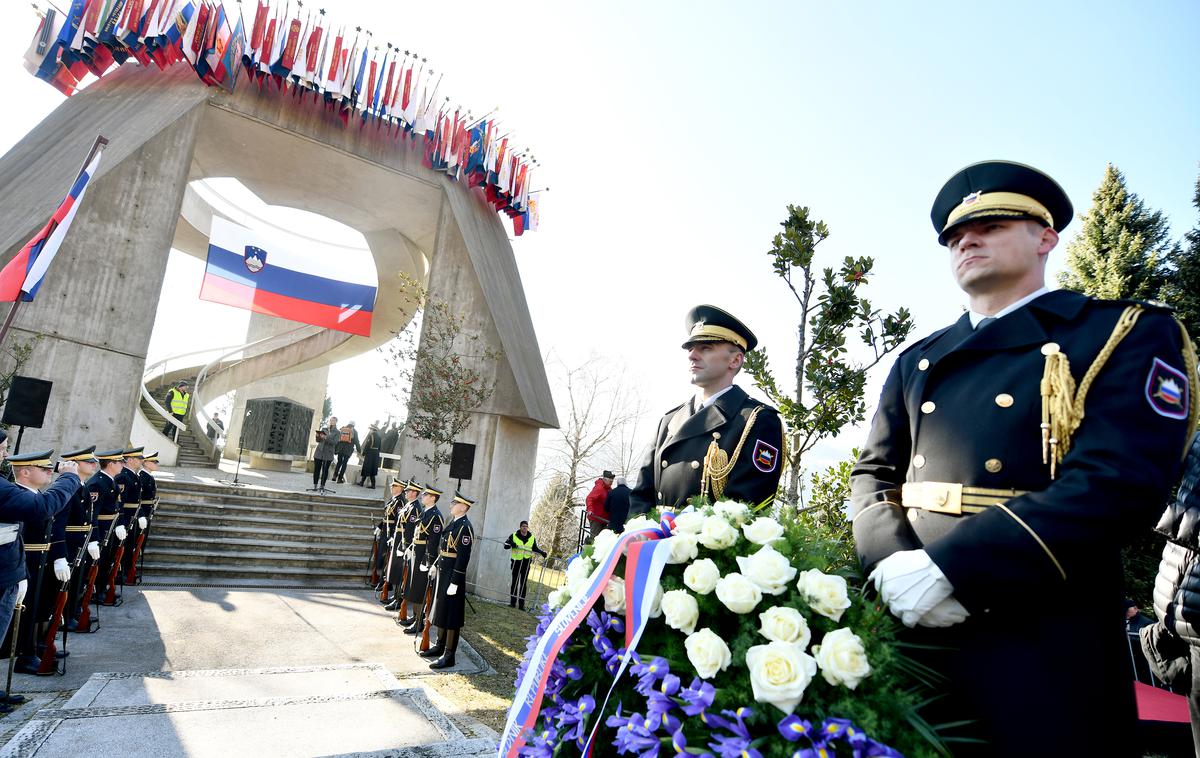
(237, 537)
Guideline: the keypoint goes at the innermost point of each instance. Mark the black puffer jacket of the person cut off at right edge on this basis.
(1178, 585)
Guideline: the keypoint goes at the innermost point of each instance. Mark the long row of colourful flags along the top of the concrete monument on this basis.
(299, 52)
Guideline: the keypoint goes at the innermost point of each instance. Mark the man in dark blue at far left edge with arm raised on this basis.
(22, 501)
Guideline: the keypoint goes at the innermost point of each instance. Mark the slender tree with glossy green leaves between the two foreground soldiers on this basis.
(829, 384)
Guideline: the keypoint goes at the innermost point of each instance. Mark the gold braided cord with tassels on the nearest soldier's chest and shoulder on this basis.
(1063, 405)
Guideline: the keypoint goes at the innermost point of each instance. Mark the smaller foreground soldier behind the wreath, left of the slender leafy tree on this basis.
(722, 444)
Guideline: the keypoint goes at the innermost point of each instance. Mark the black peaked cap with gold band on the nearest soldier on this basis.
(1000, 190)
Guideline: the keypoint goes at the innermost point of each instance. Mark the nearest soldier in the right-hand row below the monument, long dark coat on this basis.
(451, 593)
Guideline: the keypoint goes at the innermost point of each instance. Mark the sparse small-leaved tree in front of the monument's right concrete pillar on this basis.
(439, 374)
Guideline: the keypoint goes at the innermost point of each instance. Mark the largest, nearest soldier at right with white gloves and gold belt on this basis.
(1012, 456)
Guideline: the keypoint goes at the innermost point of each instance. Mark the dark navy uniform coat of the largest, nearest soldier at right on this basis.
(964, 407)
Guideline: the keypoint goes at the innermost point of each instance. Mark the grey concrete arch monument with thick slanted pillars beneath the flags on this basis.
(166, 130)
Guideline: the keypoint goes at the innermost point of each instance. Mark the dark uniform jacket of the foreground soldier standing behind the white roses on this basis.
(670, 473)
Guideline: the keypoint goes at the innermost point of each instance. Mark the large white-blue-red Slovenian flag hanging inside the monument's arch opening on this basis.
(287, 279)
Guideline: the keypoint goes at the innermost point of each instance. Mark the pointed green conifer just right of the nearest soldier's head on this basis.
(1124, 248)
